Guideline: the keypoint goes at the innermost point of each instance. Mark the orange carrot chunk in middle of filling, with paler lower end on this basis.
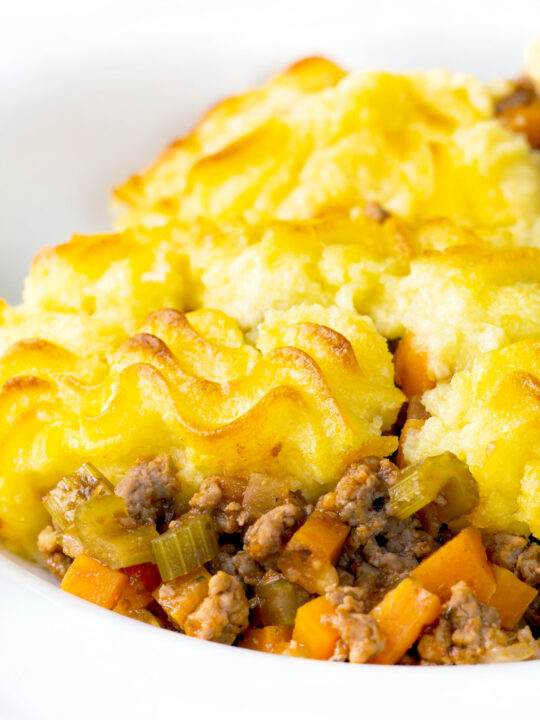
(309, 556)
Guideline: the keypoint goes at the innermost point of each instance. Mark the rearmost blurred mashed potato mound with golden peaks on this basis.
(423, 145)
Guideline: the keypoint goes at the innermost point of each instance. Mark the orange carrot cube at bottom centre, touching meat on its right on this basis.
(316, 640)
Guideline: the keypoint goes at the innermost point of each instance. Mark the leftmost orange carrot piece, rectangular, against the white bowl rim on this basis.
(89, 579)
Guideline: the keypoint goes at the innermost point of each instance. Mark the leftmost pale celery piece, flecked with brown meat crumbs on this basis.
(62, 501)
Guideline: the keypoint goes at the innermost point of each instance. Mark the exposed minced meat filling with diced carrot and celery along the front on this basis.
(341, 580)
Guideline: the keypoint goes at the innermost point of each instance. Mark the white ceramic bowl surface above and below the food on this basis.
(85, 99)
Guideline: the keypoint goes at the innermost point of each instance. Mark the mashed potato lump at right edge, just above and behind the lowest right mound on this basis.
(464, 301)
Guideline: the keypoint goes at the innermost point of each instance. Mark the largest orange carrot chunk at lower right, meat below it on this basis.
(463, 558)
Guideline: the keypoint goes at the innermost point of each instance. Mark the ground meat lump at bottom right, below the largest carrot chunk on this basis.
(469, 632)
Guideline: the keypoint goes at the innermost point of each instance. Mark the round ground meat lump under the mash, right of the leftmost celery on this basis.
(149, 489)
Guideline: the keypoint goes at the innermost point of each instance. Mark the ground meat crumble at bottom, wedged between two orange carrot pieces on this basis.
(360, 637)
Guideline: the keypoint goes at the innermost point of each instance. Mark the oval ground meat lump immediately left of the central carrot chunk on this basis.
(265, 539)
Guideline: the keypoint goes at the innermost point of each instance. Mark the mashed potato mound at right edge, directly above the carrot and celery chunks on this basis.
(489, 415)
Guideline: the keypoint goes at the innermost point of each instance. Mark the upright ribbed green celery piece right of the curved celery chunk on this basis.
(185, 547)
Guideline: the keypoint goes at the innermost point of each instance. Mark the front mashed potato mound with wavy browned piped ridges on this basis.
(305, 407)
